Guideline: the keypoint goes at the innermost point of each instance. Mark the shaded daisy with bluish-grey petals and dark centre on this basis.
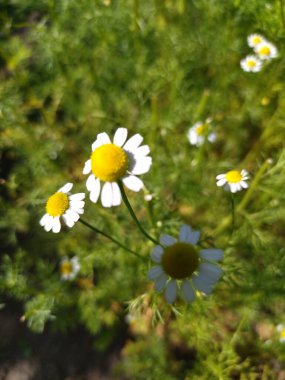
(181, 265)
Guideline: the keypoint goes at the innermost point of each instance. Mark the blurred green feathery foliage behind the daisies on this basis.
(71, 69)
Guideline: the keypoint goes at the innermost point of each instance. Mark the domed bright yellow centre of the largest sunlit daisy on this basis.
(109, 162)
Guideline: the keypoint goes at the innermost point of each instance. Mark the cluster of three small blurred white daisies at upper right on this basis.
(264, 52)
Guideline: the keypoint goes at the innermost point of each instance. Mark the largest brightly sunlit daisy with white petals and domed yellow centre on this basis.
(121, 159)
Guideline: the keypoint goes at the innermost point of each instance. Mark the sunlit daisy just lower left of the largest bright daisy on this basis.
(62, 204)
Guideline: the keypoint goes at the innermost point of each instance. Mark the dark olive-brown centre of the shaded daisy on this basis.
(180, 260)
